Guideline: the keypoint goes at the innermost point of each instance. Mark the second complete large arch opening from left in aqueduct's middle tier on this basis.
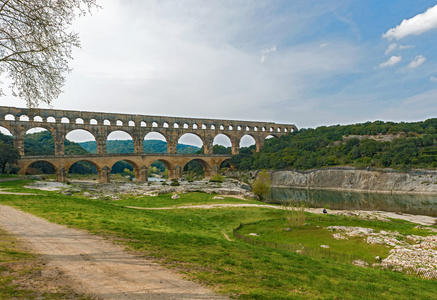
(80, 141)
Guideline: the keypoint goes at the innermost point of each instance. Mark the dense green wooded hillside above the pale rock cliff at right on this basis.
(324, 146)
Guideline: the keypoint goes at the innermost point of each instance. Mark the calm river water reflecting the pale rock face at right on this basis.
(412, 204)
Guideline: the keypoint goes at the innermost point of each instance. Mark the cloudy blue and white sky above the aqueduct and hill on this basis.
(302, 62)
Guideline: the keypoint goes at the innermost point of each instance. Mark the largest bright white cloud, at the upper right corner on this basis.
(415, 26)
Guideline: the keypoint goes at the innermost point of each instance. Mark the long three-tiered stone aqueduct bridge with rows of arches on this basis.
(60, 122)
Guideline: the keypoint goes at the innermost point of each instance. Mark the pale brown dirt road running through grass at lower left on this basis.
(95, 265)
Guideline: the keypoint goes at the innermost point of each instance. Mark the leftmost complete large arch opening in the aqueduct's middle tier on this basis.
(39, 141)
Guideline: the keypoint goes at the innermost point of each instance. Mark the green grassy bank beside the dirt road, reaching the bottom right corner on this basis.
(193, 242)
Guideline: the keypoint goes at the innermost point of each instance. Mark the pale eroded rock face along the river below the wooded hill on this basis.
(358, 180)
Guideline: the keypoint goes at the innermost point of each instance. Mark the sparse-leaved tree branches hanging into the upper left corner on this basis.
(35, 45)
